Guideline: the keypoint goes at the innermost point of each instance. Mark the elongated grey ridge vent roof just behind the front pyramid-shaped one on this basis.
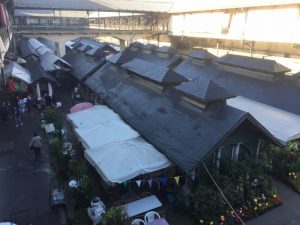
(153, 72)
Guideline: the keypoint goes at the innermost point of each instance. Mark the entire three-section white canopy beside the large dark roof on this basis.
(114, 149)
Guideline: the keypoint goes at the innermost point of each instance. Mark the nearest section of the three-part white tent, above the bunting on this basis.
(121, 161)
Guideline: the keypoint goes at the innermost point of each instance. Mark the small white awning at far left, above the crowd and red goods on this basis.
(14, 70)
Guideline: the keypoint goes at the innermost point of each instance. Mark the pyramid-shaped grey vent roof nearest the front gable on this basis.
(204, 90)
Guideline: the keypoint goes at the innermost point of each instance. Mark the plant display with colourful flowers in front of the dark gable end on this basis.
(246, 188)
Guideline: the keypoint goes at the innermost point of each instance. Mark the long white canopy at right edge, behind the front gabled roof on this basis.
(283, 125)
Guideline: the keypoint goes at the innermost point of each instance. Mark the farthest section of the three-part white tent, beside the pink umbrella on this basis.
(92, 116)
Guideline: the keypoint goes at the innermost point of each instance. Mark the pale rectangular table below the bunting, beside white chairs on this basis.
(142, 205)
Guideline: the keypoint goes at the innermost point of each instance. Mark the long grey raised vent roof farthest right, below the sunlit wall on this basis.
(251, 63)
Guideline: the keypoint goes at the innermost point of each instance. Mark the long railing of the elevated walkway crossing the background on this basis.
(93, 28)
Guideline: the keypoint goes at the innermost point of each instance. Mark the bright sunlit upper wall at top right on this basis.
(267, 24)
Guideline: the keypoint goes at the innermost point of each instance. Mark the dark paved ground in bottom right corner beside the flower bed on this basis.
(286, 214)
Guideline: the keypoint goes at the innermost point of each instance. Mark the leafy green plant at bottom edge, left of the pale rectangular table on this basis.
(115, 216)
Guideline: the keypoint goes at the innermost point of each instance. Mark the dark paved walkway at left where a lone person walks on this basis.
(24, 181)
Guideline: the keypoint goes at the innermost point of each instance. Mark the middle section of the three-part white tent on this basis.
(104, 133)
